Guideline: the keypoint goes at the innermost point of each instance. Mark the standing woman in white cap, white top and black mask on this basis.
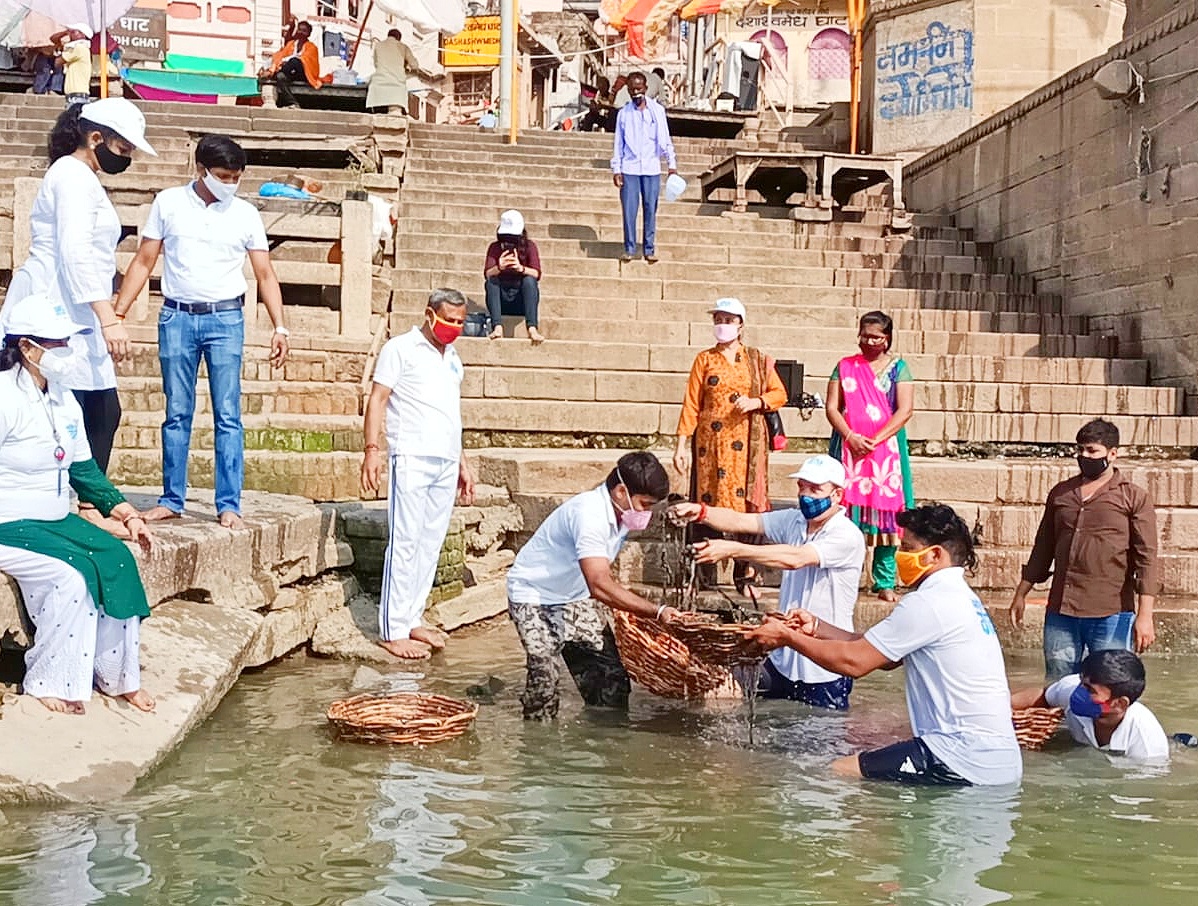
(72, 258)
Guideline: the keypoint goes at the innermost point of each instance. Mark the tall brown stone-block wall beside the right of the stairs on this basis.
(1057, 184)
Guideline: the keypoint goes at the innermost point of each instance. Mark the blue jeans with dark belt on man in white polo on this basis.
(219, 340)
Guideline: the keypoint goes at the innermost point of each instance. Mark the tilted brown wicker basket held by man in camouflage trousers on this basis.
(661, 663)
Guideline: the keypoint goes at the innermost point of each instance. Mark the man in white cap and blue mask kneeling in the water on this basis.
(822, 554)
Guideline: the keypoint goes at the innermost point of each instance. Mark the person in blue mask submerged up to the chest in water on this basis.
(1103, 708)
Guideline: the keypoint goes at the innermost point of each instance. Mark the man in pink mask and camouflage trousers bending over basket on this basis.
(561, 585)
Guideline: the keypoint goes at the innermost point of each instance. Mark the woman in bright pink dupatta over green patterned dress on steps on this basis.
(870, 401)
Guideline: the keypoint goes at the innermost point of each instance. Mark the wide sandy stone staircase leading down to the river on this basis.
(1003, 375)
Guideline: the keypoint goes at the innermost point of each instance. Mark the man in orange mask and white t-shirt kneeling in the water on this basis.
(958, 697)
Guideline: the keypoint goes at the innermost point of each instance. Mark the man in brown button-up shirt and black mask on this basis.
(1099, 530)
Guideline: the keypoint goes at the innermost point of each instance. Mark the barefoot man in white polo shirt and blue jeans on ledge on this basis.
(205, 233)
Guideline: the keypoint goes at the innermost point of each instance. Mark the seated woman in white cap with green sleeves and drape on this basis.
(81, 587)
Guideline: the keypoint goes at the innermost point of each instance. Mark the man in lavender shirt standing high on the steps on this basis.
(643, 140)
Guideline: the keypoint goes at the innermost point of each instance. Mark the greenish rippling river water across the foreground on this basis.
(663, 806)
